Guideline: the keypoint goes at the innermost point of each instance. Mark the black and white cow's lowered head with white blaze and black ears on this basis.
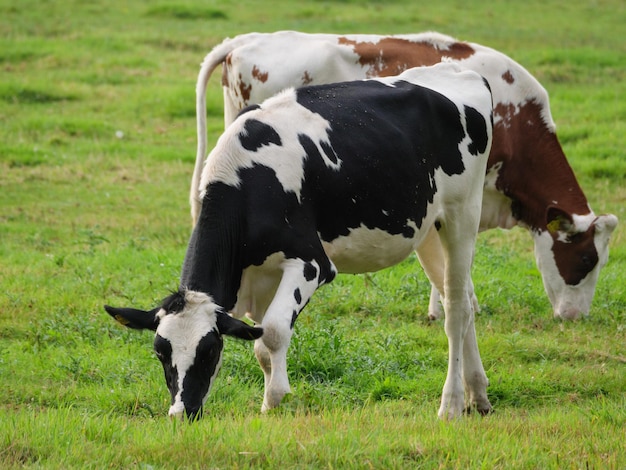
(188, 342)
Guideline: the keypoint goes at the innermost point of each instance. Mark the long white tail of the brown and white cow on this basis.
(211, 61)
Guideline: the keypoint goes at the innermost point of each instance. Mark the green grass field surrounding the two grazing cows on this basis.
(97, 143)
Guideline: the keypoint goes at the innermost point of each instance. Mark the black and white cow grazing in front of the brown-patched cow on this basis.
(349, 177)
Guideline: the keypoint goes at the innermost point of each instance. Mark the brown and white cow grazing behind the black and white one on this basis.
(529, 181)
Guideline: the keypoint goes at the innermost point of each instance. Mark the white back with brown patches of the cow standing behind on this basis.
(269, 63)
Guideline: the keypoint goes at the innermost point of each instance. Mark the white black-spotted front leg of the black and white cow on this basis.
(299, 281)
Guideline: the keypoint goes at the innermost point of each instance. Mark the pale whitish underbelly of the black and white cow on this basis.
(368, 250)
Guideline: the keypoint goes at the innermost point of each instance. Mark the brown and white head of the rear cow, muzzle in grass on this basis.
(570, 253)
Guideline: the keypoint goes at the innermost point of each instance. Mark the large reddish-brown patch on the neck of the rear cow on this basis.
(533, 179)
